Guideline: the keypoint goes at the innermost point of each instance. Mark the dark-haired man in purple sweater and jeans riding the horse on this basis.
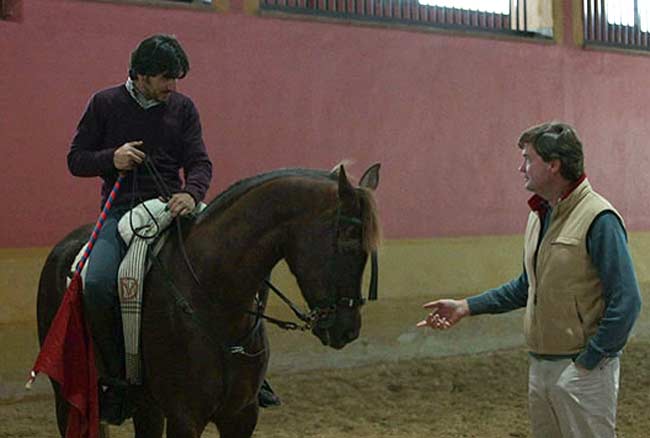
(144, 118)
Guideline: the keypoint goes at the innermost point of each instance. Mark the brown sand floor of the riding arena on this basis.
(480, 395)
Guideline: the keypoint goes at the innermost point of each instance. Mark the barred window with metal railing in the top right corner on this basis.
(603, 28)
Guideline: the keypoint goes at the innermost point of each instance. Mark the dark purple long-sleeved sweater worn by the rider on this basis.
(172, 138)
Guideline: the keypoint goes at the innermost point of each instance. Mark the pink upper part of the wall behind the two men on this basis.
(440, 112)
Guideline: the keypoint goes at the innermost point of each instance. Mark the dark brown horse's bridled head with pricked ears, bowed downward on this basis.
(328, 255)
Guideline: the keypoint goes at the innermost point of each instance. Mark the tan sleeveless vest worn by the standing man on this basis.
(565, 302)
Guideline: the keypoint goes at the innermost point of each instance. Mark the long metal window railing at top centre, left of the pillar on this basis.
(412, 12)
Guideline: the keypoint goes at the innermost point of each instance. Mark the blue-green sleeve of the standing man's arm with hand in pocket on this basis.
(607, 246)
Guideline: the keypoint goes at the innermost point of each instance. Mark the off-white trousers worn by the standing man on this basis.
(567, 402)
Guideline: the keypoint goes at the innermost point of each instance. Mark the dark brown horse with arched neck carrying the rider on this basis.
(205, 352)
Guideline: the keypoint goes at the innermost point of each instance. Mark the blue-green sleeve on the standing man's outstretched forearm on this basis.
(507, 297)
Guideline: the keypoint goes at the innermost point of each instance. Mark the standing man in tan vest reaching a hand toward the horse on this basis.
(578, 286)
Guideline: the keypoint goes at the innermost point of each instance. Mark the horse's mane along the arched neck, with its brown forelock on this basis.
(370, 219)
